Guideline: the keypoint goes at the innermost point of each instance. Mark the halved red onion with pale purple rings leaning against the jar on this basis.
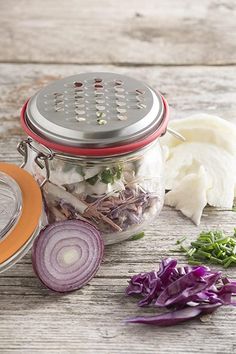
(67, 254)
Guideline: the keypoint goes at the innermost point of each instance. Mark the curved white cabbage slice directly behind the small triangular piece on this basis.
(220, 167)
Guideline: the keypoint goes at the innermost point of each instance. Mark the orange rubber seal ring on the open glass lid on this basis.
(30, 214)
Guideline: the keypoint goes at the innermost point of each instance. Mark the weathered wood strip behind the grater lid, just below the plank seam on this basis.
(187, 89)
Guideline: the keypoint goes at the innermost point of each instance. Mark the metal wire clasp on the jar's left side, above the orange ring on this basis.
(41, 159)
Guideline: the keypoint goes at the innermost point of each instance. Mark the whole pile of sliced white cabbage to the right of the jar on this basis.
(210, 144)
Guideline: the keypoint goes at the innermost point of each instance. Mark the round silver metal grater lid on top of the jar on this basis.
(94, 110)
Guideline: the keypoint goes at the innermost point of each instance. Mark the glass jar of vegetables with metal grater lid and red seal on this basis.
(93, 147)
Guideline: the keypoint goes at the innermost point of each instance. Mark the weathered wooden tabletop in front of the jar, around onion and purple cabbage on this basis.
(91, 320)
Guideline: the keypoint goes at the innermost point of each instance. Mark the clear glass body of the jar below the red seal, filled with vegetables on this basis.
(120, 195)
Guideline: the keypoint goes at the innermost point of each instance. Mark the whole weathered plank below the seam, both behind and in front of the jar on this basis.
(91, 320)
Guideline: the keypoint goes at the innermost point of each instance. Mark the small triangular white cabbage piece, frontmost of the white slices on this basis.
(190, 195)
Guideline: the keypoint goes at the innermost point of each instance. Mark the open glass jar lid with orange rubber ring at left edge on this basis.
(20, 213)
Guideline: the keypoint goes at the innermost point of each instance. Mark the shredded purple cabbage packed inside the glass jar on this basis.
(125, 208)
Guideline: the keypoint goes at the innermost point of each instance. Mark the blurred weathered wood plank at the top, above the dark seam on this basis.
(163, 32)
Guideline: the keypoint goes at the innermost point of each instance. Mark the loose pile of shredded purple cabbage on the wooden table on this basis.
(188, 291)
